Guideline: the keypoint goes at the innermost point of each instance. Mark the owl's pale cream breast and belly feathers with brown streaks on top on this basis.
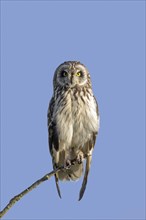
(76, 119)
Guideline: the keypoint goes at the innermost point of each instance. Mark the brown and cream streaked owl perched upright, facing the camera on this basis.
(73, 123)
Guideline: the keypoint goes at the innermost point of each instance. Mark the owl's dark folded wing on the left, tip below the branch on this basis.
(53, 138)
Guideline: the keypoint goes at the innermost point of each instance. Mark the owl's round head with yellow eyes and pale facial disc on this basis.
(71, 74)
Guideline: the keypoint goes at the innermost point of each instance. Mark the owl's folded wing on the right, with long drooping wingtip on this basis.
(89, 146)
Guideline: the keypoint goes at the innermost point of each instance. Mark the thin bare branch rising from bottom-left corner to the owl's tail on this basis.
(24, 192)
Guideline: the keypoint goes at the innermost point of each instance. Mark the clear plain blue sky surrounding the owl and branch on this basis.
(108, 37)
